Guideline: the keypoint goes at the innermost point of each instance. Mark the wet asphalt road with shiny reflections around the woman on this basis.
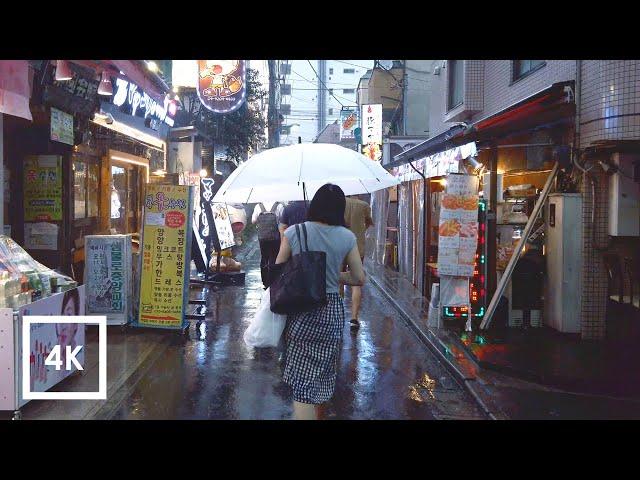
(384, 373)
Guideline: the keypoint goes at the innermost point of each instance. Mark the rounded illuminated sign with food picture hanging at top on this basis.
(222, 84)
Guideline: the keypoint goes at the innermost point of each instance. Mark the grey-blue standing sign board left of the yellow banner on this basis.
(108, 276)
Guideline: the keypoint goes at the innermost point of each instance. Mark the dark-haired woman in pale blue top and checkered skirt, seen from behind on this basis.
(313, 339)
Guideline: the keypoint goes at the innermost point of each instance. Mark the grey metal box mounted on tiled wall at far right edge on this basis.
(624, 198)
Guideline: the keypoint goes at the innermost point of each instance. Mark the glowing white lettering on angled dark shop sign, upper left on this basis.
(132, 100)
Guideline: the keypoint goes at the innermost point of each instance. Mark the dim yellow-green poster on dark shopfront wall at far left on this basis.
(43, 188)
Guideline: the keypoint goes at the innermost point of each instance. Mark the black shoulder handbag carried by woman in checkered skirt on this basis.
(299, 284)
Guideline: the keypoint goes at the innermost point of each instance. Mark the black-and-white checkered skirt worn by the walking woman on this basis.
(313, 342)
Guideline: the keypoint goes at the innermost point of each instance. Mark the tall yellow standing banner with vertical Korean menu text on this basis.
(166, 255)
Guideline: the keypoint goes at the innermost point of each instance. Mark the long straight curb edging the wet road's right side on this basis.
(437, 348)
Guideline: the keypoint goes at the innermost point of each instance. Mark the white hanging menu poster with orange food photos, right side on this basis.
(458, 226)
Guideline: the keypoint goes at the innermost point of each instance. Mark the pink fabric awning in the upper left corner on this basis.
(15, 90)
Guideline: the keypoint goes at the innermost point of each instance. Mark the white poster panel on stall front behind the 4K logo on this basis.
(44, 336)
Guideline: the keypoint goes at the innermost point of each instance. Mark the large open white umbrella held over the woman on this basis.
(284, 173)
